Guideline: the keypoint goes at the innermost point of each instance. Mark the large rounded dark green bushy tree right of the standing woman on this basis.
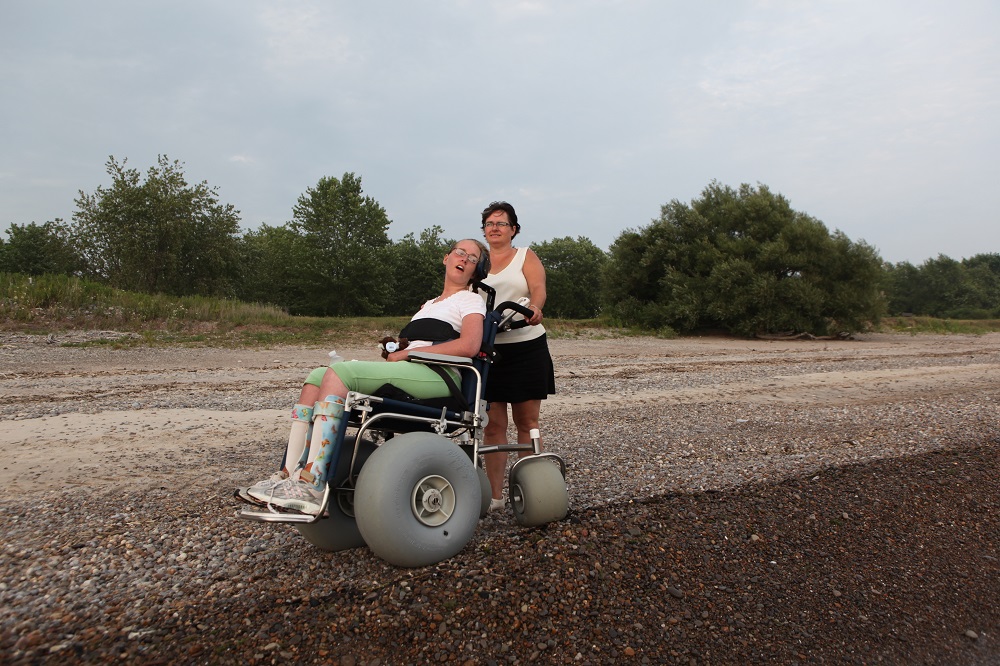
(742, 261)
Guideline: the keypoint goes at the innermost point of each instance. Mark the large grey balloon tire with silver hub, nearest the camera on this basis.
(418, 500)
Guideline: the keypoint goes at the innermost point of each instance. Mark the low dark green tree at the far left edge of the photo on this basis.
(37, 249)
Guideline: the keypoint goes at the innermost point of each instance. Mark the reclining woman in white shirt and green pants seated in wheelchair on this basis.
(452, 322)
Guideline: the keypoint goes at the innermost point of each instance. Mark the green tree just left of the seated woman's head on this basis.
(416, 270)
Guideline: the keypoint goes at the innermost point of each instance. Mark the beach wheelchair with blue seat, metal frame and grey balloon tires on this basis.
(406, 479)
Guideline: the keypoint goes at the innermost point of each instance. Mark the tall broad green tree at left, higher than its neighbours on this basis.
(158, 235)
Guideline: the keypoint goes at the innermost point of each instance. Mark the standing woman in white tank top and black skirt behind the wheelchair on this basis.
(522, 374)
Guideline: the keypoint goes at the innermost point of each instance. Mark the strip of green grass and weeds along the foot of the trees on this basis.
(56, 303)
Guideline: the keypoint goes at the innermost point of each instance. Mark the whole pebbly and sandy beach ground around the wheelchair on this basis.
(732, 502)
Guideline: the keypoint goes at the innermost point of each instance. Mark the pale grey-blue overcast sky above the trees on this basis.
(880, 118)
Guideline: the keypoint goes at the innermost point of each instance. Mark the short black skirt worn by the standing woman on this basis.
(521, 371)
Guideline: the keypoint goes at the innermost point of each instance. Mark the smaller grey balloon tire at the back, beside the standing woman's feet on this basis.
(538, 493)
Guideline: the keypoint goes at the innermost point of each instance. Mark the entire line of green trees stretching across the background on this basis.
(738, 260)
